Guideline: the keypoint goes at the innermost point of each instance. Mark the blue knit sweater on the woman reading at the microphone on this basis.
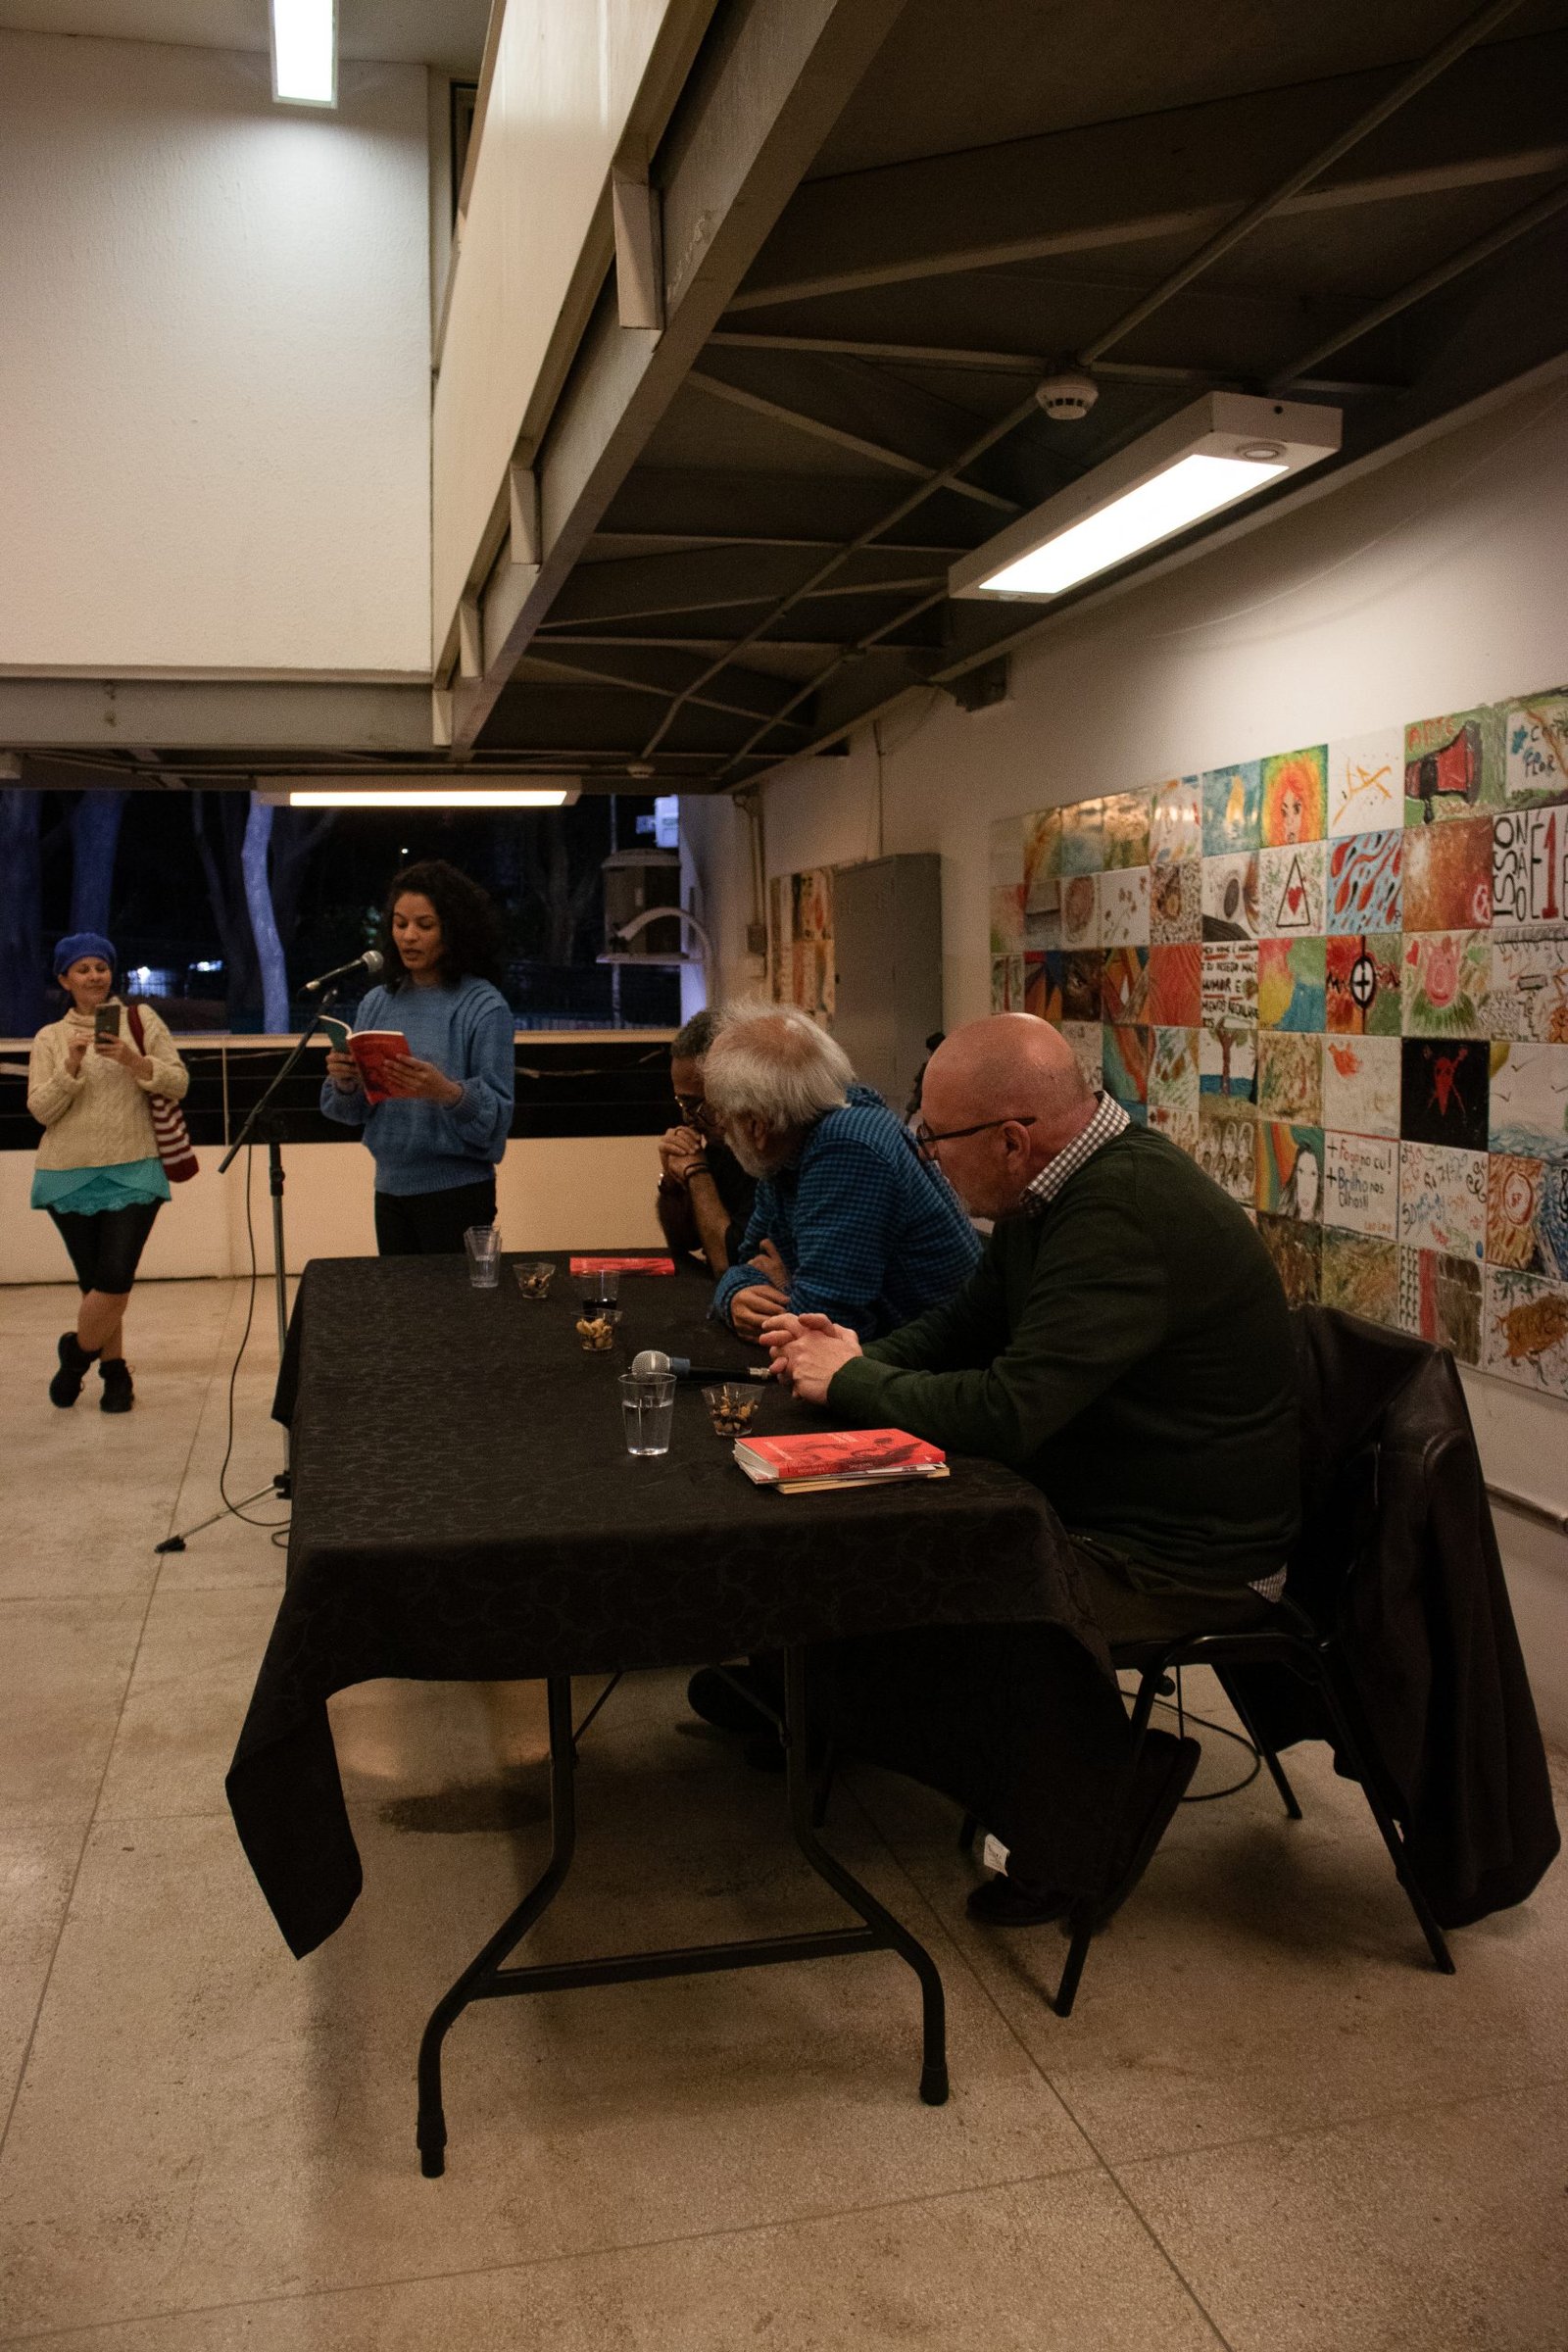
(469, 1034)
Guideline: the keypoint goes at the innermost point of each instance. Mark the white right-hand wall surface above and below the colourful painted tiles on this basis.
(1433, 584)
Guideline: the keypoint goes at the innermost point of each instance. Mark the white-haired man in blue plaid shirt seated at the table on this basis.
(850, 1220)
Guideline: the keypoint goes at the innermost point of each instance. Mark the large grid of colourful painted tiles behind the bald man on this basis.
(1339, 977)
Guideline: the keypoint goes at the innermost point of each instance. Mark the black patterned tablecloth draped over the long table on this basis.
(464, 1509)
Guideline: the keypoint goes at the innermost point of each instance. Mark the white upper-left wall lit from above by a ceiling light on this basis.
(215, 366)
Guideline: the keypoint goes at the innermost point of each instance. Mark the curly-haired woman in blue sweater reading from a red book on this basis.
(441, 1130)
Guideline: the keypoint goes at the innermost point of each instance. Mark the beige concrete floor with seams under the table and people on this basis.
(1266, 2127)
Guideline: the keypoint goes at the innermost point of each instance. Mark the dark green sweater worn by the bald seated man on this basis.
(1130, 1351)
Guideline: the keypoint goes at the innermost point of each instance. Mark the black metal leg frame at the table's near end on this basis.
(488, 1977)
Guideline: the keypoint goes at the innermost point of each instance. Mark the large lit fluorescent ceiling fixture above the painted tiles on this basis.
(1200, 462)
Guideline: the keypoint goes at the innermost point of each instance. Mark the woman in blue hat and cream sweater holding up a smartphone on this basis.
(98, 1168)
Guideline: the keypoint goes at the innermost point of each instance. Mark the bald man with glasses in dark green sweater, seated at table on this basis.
(1125, 1344)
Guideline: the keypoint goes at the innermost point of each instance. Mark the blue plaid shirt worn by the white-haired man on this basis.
(869, 1231)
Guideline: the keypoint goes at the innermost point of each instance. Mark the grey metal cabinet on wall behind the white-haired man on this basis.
(887, 933)
